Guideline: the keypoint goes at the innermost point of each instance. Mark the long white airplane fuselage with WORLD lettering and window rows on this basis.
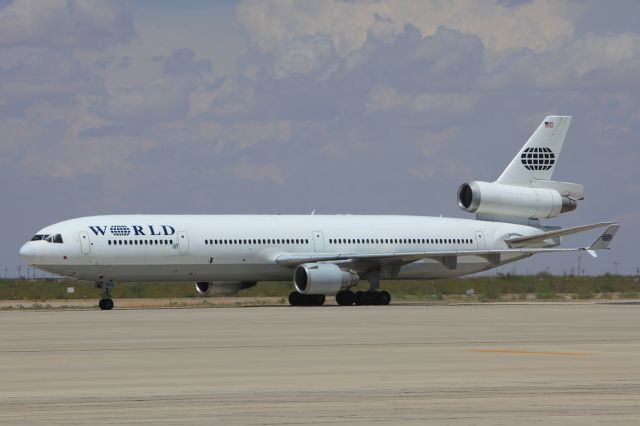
(247, 247)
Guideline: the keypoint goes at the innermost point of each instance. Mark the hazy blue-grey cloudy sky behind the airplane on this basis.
(376, 107)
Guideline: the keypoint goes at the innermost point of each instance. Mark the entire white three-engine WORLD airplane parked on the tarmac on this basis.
(327, 254)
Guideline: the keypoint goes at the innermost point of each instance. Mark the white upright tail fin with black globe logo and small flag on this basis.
(538, 157)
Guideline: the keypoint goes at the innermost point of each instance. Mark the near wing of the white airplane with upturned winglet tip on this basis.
(447, 257)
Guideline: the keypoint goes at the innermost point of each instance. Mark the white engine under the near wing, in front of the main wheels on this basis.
(322, 278)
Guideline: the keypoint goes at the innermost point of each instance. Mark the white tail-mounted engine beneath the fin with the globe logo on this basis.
(495, 199)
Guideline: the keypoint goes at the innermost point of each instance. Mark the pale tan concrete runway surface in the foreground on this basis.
(568, 364)
